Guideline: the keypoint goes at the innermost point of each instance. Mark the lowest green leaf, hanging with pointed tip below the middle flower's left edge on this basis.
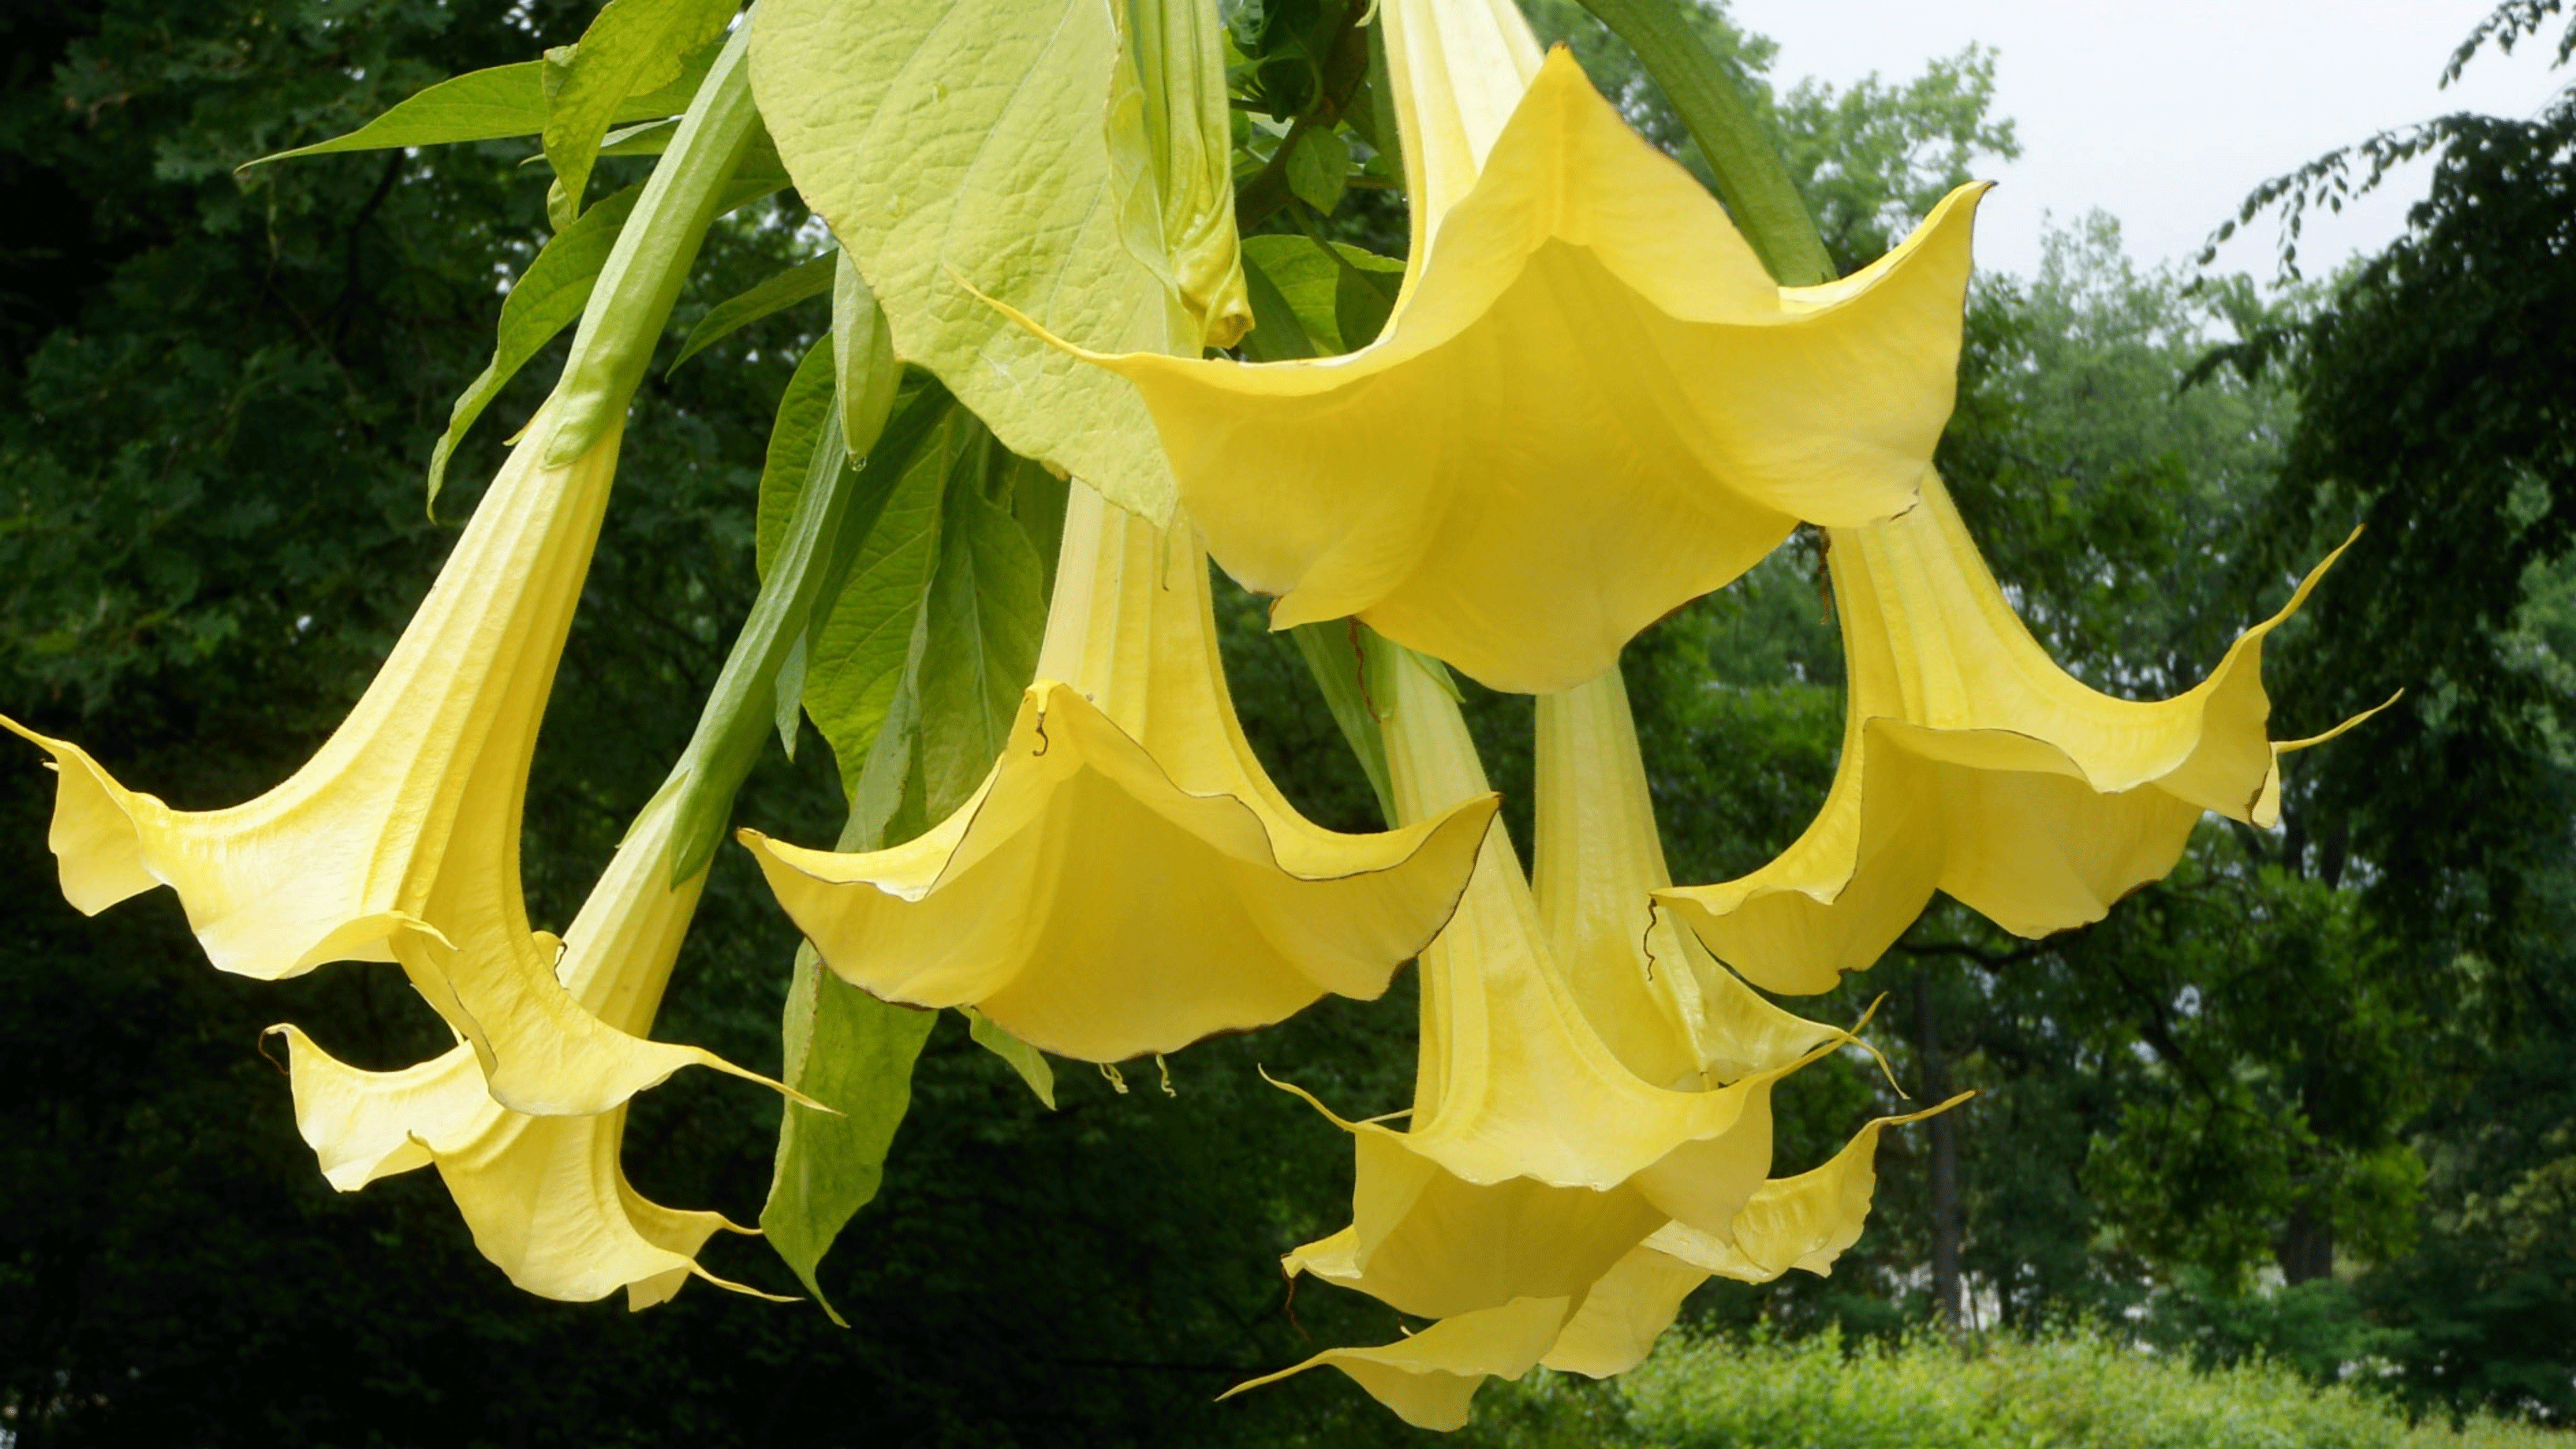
(854, 1053)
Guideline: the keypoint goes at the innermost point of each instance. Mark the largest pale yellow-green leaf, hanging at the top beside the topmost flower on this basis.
(957, 148)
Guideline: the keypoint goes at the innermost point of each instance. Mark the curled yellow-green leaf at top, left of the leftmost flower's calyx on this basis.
(632, 48)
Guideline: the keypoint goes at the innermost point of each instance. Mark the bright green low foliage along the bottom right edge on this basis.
(2067, 1391)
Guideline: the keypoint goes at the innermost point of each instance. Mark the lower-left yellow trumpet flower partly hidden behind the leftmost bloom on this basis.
(545, 1195)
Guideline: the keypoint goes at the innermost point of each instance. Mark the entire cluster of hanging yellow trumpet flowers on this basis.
(1588, 406)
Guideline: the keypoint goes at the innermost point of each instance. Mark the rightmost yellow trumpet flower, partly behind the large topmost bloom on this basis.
(1977, 767)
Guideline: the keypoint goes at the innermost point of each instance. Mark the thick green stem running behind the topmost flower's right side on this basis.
(1750, 177)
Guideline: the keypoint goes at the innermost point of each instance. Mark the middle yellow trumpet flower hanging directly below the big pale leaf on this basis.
(1127, 878)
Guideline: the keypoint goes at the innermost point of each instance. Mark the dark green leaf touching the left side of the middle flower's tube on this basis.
(988, 610)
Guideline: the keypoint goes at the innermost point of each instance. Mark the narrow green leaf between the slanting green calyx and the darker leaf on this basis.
(857, 661)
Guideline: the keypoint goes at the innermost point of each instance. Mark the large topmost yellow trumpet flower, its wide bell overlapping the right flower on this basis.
(1578, 311)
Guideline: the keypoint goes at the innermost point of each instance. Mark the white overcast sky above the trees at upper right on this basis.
(2168, 112)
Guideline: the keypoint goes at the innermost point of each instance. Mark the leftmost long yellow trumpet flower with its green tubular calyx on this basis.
(398, 842)
